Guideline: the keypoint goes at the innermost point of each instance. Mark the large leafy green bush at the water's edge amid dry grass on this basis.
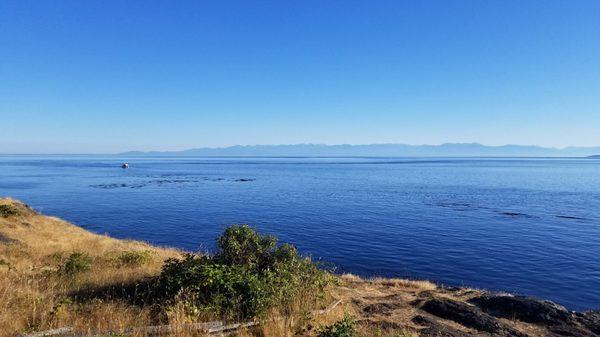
(248, 276)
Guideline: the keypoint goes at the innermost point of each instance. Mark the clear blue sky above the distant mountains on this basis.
(110, 76)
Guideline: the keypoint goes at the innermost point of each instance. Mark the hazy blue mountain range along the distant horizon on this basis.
(381, 150)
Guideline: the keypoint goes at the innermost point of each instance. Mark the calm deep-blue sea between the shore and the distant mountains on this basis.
(526, 226)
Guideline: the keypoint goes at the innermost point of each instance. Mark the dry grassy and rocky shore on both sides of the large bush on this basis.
(33, 246)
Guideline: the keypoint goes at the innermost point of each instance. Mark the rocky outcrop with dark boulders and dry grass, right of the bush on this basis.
(418, 308)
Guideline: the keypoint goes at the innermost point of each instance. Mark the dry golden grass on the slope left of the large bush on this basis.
(35, 295)
